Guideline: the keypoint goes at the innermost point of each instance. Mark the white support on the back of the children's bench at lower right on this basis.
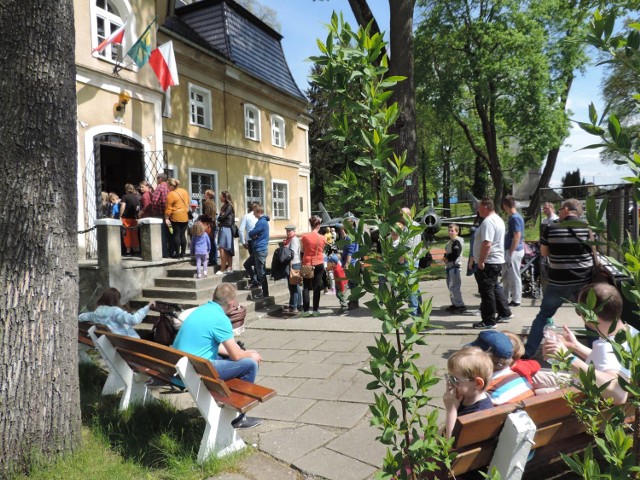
(514, 445)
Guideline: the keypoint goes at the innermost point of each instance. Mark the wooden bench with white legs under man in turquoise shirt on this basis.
(132, 361)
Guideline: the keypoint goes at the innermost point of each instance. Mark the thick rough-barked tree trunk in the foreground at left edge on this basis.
(39, 397)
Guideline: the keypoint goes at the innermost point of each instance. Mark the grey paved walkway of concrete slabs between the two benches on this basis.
(318, 425)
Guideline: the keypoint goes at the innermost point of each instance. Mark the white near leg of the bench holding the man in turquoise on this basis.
(219, 438)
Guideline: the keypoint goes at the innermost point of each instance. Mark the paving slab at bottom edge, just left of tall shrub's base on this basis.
(334, 466)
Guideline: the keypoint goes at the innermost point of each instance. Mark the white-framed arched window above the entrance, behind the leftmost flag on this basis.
(108, 16)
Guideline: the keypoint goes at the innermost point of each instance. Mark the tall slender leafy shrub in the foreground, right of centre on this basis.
(355, 71)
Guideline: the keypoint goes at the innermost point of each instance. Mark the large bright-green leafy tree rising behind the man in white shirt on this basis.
(486, 63)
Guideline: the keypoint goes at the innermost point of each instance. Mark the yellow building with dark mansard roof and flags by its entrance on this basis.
(237, 121)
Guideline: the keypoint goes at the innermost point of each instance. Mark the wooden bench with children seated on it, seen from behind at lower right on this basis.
(482, 438)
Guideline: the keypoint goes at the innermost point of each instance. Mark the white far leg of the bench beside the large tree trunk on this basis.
(120, 375)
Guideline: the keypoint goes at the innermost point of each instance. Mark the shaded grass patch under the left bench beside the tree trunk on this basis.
(151, 442)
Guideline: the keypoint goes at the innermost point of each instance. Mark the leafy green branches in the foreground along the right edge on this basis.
(619, 446)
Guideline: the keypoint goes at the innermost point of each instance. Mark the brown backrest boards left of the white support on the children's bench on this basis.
(478, 426)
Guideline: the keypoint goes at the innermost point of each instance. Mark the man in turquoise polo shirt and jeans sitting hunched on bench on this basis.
(207, 333)
